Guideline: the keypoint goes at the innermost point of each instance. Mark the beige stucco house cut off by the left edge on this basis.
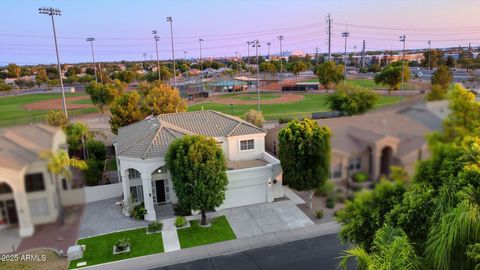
(28, 192)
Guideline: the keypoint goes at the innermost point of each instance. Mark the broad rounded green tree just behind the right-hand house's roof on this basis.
(351, 99)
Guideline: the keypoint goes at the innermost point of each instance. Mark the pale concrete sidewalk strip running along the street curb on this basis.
(222, 248)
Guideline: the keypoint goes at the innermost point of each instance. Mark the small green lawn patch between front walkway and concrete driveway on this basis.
(195, 235)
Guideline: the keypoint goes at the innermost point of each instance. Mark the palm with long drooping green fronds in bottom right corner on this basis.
(453, 231)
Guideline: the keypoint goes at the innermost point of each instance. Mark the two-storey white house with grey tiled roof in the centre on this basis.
(254, 176)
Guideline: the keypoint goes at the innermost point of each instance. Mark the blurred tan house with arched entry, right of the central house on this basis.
(370, 143)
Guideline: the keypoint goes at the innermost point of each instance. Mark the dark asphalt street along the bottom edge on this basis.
(315, 253)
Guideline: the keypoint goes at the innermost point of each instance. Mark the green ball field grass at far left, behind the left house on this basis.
(13, 113)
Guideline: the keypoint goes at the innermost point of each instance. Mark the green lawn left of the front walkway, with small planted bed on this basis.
(99, 248)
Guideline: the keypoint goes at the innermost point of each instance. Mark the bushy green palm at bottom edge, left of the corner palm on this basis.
(391, 249)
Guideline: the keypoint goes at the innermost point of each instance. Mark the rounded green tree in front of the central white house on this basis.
(198, 169)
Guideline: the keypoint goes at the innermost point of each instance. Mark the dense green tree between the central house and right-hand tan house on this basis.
(305, 155)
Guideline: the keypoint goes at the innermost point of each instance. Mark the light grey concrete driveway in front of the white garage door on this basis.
(252, 220)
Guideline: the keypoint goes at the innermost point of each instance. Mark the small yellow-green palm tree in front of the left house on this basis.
(59, 164)
